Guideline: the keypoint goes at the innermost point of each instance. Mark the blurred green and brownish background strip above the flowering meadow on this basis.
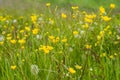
(23, 6)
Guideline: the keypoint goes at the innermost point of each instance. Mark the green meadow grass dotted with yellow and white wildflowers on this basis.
(60, 44)
